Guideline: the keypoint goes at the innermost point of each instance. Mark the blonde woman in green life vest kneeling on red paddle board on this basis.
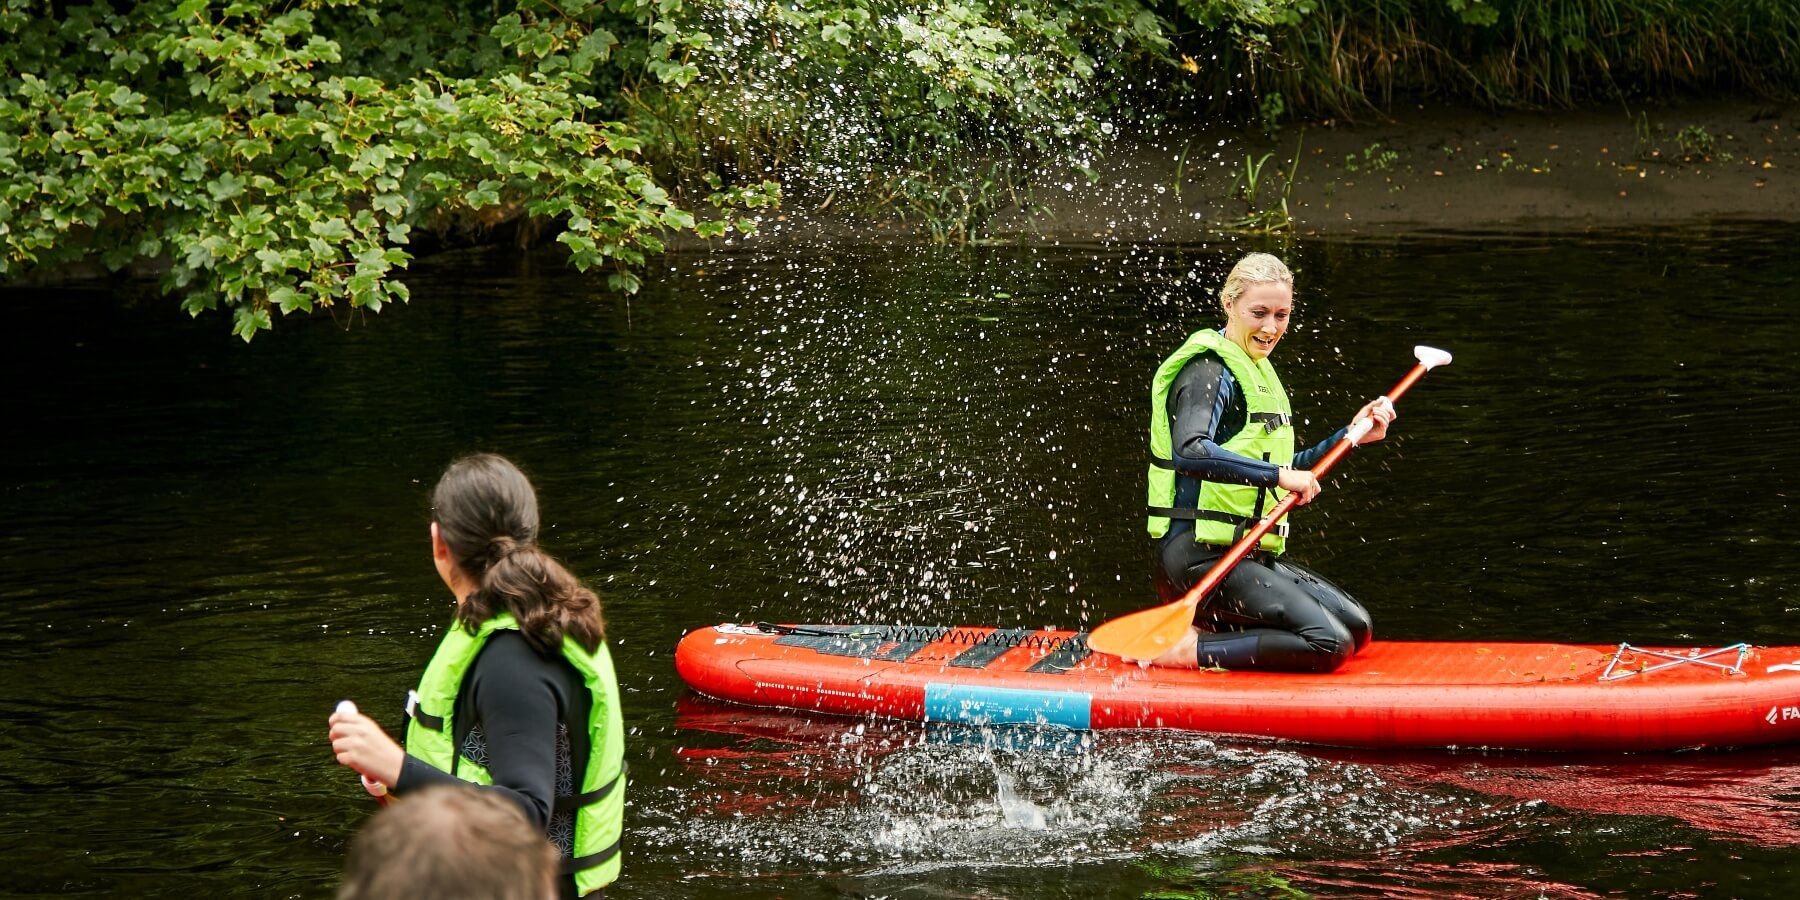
(1221, 456)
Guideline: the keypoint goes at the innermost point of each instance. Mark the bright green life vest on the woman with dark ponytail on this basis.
(598, 809)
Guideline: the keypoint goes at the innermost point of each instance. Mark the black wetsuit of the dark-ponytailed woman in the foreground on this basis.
(525, 719)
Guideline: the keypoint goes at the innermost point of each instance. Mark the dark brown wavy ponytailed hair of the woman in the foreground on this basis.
(489, 516)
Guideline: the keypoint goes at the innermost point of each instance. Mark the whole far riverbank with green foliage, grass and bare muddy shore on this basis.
(287, 157)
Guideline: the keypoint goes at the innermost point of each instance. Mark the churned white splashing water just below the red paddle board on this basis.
(886, 798)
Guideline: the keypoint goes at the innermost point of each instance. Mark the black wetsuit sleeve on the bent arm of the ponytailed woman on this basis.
(514, 694)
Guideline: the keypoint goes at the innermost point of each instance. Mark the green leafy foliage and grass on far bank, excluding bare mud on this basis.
(283, 156)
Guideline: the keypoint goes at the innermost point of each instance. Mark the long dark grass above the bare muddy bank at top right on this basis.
(1349, 58)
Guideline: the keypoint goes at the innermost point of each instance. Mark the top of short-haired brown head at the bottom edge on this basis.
(451, 843)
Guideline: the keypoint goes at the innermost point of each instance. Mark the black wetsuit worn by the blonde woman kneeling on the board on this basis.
(1270, 613)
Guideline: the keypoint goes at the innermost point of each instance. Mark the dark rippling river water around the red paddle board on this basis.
(210, 544)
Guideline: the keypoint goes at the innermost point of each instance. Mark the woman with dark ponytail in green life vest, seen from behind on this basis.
(521, 696)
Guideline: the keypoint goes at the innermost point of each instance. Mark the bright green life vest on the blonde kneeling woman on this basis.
(1225, 512)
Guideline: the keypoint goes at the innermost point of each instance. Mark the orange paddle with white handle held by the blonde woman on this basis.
(1149, 634)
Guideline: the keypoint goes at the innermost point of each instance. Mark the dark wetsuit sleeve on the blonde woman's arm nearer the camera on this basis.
(1200, 404)
